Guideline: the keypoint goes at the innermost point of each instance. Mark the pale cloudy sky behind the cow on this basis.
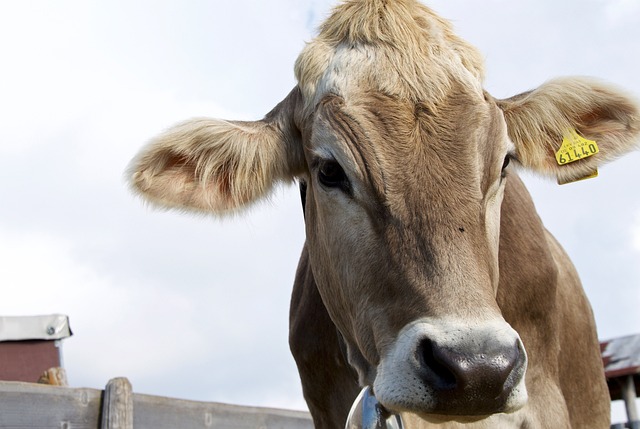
(195, 307)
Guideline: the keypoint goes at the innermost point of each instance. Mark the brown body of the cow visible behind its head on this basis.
(535, 295)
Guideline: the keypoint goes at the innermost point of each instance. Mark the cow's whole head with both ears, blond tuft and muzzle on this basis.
(405, 160)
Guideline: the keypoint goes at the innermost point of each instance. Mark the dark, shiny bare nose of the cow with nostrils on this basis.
(478, 374)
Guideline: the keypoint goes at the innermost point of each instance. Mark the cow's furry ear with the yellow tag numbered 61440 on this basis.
(572, 114)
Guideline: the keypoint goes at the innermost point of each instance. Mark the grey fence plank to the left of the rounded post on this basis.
(38, 406)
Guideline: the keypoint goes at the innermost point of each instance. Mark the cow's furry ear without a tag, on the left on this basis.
(218, 166)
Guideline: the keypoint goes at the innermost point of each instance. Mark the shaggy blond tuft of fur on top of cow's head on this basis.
(399, 47)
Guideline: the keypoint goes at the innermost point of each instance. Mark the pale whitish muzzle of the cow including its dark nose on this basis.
(452, 369)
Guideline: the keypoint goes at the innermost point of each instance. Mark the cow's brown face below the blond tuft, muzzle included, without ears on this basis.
(402, 217)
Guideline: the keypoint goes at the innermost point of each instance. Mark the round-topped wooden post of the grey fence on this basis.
(117, 405)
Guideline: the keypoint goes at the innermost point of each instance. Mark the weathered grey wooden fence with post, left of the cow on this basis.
(31, 406)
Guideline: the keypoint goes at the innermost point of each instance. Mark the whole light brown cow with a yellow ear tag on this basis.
(426, 273)
